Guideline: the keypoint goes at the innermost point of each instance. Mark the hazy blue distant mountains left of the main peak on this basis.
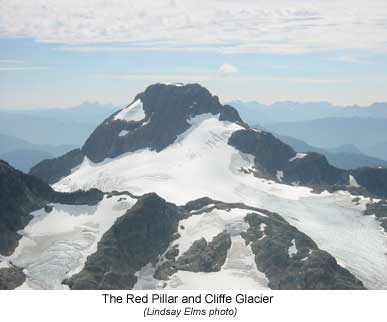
(28, 137)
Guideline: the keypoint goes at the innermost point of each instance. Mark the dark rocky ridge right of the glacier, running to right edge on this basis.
(272, 156)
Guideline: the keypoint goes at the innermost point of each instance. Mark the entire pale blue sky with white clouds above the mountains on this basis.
(60, 53)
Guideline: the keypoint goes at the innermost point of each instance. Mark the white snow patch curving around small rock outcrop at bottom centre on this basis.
(238, 272)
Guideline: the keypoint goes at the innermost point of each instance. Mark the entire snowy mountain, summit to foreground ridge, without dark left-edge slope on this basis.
(190, 190)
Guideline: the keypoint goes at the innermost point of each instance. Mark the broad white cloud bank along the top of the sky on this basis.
(227, 26)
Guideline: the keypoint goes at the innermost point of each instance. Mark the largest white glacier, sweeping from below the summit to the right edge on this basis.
(200, 163)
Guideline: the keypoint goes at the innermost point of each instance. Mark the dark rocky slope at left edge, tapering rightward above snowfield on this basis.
(21, 194)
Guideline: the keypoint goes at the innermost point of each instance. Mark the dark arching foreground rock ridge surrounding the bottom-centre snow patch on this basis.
(145, 234)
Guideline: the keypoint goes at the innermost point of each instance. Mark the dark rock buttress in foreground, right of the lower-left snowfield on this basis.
(135, 239)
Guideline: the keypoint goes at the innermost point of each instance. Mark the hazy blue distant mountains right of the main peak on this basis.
(324, 126)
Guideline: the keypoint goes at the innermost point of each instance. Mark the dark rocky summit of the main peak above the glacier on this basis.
(167, 111)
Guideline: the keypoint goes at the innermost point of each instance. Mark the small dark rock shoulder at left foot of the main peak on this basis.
(50, 171)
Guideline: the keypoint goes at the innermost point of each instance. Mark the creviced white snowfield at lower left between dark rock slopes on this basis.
(55, 245)
